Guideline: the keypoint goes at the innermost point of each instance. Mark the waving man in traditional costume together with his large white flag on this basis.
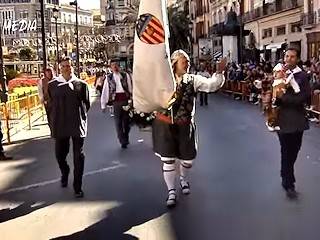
(163, 85)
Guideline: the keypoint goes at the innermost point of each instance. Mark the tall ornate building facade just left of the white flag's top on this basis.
(115, 13)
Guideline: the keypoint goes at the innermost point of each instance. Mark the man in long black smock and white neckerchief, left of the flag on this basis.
(69, 104)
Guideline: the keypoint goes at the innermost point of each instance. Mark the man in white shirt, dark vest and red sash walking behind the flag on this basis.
(117, 91)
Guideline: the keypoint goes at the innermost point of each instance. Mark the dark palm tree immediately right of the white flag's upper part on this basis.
(179, 29)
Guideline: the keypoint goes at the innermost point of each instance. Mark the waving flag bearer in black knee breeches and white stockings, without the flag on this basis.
(174, 136)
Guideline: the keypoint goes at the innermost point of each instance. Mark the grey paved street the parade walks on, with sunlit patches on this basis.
(235, 184)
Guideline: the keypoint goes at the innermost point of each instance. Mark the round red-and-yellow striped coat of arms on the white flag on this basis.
(150, 29)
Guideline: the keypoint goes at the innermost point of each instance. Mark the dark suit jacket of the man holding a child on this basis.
(292, 113)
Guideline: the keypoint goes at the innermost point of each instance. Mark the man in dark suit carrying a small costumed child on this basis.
(292, 121)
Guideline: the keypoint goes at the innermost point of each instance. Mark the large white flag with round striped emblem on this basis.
(153, 81)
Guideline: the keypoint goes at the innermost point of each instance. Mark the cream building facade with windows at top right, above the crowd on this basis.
(275, 25)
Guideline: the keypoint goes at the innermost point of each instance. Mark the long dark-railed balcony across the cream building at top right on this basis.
(271, 9)
